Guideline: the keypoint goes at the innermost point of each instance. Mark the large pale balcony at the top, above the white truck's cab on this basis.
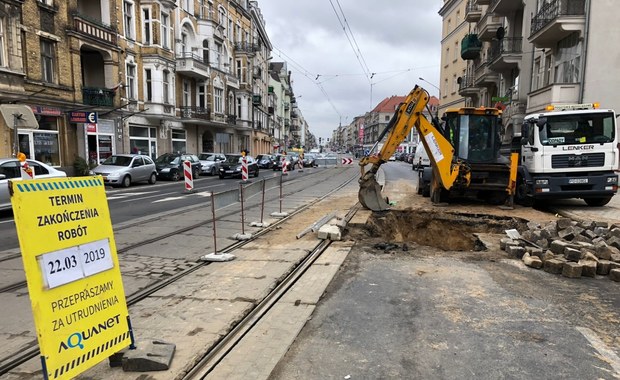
(556, 20)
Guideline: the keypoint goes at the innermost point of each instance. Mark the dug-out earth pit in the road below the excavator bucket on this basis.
(442, 230)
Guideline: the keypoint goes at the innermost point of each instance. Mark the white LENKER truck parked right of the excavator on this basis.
(569, 151)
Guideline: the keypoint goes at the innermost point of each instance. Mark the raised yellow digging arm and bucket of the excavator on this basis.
(441, 153)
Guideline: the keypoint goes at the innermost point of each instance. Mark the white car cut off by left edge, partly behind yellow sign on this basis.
(10, 169)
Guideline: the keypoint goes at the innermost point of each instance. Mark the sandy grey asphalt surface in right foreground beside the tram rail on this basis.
(432, 314)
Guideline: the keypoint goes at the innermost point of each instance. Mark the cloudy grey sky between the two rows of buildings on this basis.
(398, 40)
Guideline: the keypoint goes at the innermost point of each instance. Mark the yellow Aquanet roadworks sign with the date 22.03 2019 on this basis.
(75, 285)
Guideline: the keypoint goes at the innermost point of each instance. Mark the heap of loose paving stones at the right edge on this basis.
(570, 248)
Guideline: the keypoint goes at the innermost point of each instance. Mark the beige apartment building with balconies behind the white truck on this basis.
(521, 56)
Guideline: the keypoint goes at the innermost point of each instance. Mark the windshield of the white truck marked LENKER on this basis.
(584, 128)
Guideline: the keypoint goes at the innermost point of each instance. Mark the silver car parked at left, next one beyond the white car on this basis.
(125, 169)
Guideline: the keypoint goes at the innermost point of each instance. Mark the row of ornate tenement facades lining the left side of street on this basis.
(149, 76)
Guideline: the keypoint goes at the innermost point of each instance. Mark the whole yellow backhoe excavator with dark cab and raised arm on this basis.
(464, 153)
